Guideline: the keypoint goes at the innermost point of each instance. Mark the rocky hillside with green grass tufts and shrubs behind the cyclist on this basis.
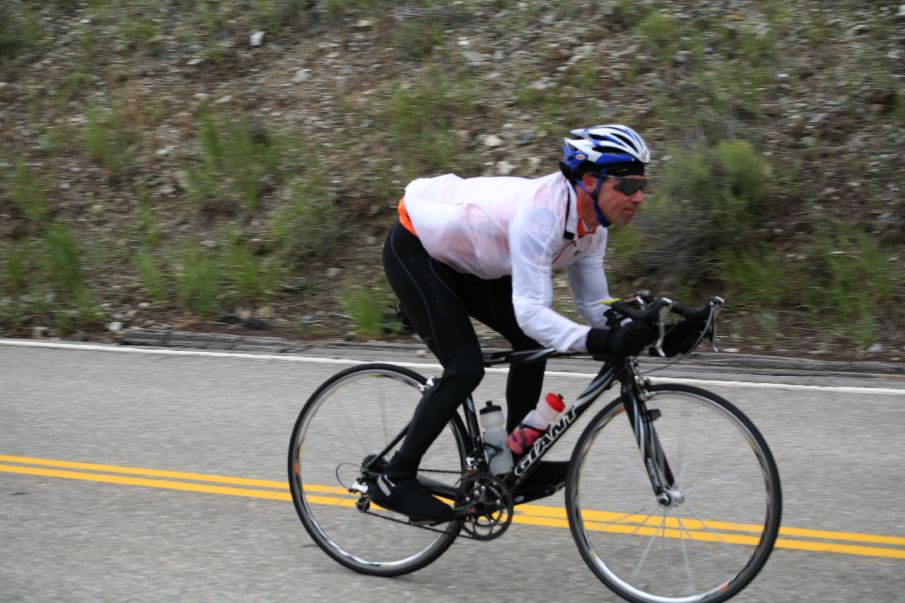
(190, 163)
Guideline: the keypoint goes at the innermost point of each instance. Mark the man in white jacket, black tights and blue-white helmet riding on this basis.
(486, 248)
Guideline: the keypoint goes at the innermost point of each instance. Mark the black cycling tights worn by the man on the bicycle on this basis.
(439, 300)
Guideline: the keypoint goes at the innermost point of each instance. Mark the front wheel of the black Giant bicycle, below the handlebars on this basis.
(713, 533)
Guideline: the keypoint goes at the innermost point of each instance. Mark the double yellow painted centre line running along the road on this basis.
(847, 543)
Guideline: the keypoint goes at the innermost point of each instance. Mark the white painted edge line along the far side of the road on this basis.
(423, 365)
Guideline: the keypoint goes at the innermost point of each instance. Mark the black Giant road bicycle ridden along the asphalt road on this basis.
(672, 494)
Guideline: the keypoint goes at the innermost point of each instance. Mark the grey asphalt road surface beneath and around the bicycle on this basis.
(96, 502)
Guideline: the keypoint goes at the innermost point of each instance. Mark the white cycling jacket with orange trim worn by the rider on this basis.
(491, 227)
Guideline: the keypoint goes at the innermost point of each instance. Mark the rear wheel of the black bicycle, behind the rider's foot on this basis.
(335, 431)
